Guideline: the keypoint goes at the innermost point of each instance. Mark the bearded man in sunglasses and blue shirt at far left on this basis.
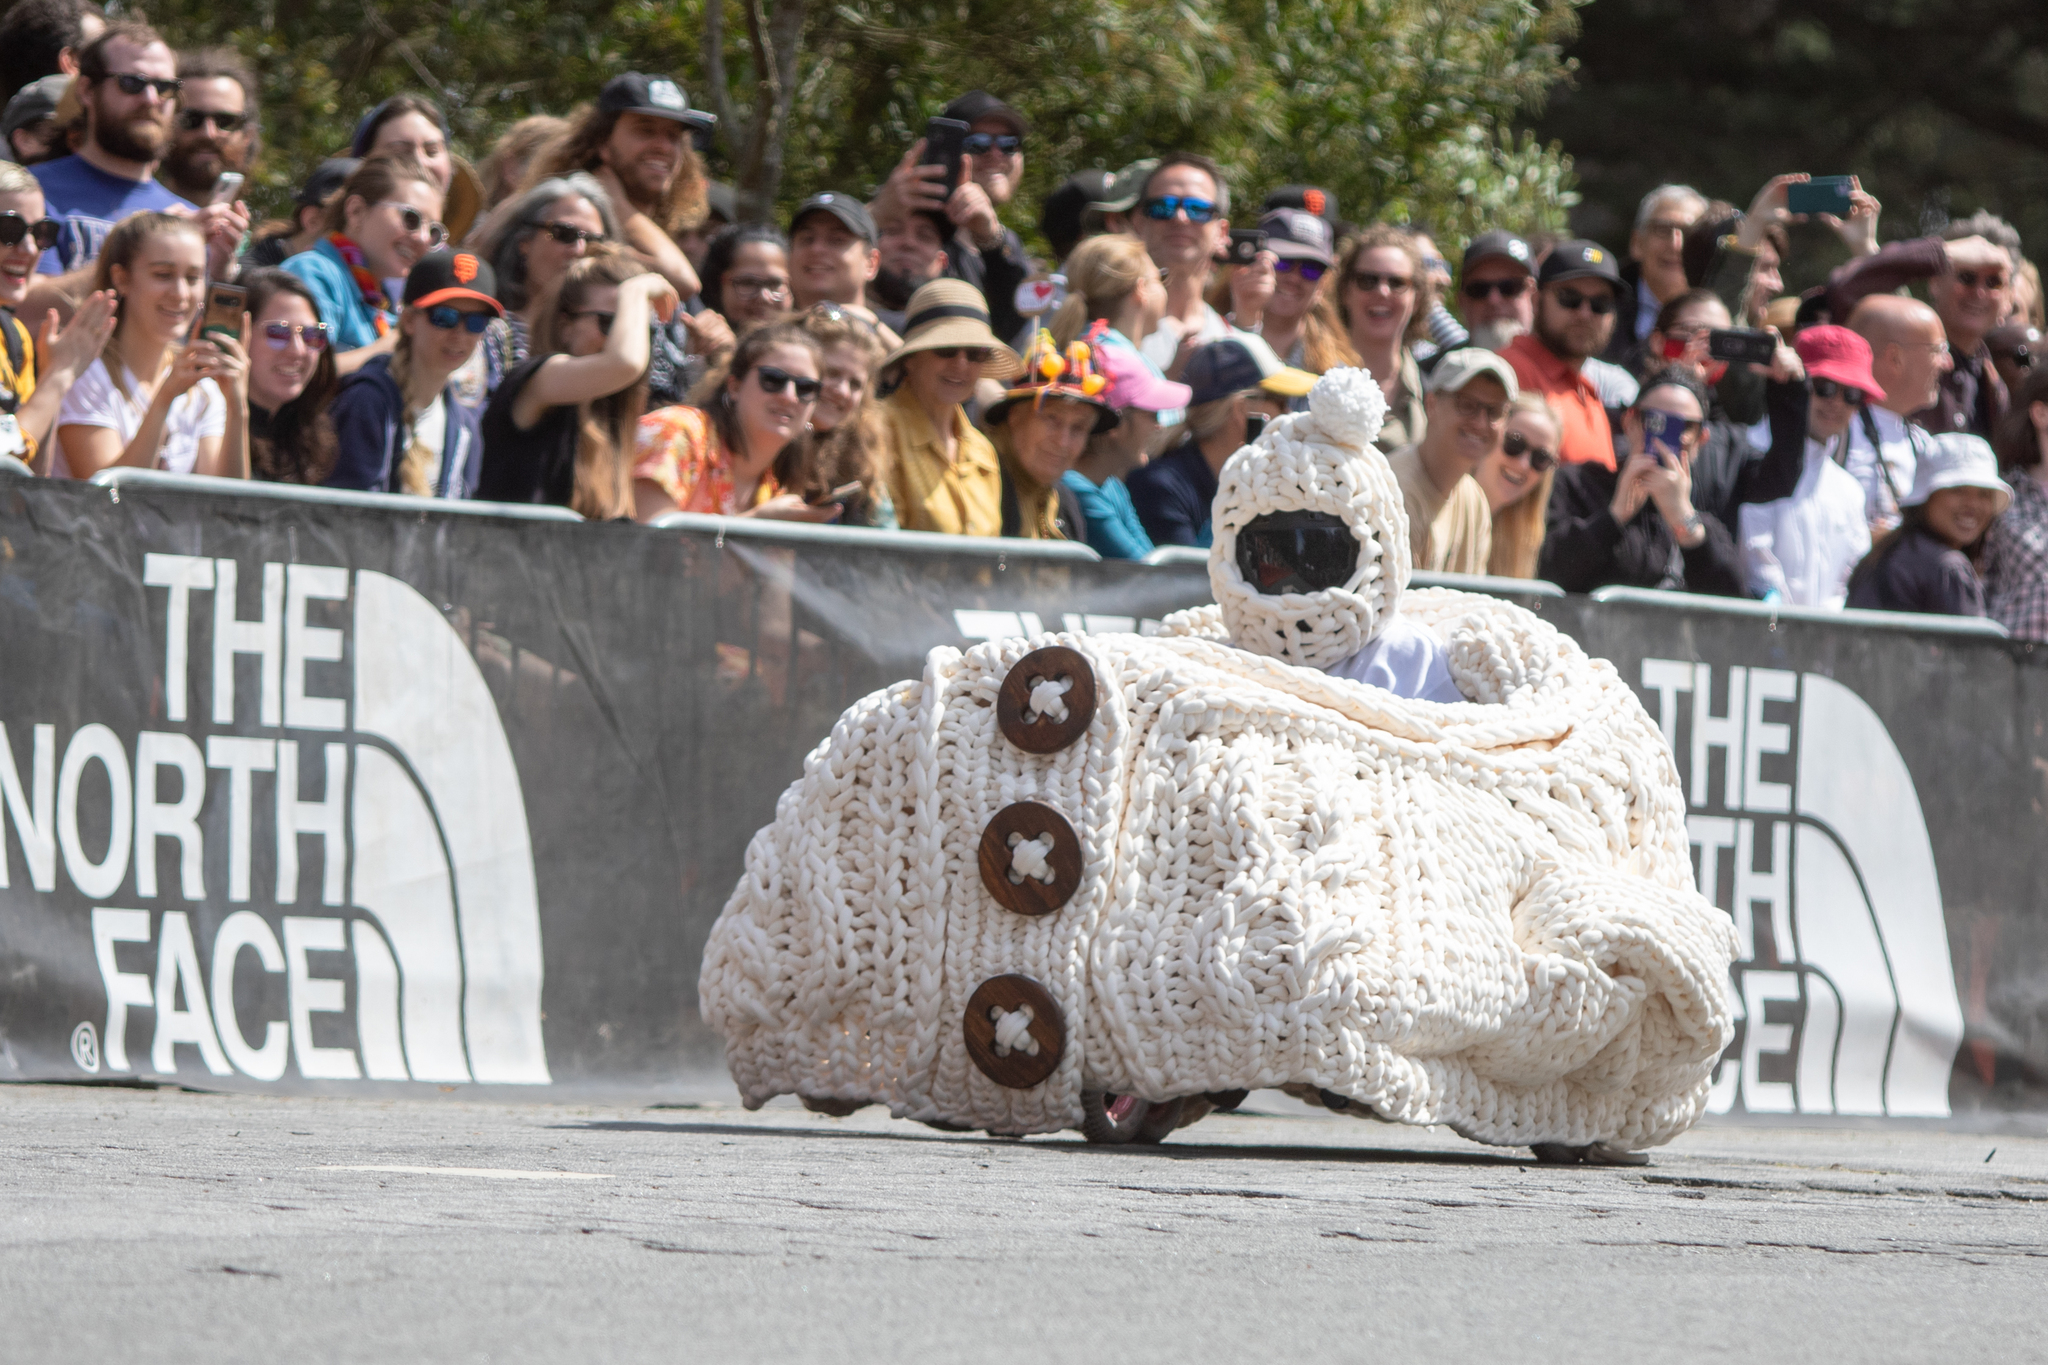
(128, 83)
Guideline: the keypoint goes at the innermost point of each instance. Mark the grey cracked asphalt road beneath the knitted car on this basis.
(173, 1227)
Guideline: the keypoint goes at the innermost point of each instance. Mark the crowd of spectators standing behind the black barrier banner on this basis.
(585, 320)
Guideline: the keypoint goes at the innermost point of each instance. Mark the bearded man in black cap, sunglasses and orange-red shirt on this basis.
(1576, 300)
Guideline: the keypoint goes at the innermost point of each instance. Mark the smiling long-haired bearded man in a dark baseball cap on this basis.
(636, 140)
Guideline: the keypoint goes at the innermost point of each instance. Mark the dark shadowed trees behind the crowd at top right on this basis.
(1938, 105)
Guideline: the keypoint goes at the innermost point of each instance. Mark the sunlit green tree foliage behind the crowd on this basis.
(1402, 107)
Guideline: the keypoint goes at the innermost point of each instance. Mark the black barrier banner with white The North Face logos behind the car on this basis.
(359, 799)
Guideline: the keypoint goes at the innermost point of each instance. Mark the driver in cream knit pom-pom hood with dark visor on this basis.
(1310, 554)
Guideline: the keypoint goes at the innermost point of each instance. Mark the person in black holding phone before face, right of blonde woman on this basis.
(1637, 527)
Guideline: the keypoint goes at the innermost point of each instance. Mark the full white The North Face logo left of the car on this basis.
(368, 775)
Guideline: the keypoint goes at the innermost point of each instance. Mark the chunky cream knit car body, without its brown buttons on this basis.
(1471, 914)
